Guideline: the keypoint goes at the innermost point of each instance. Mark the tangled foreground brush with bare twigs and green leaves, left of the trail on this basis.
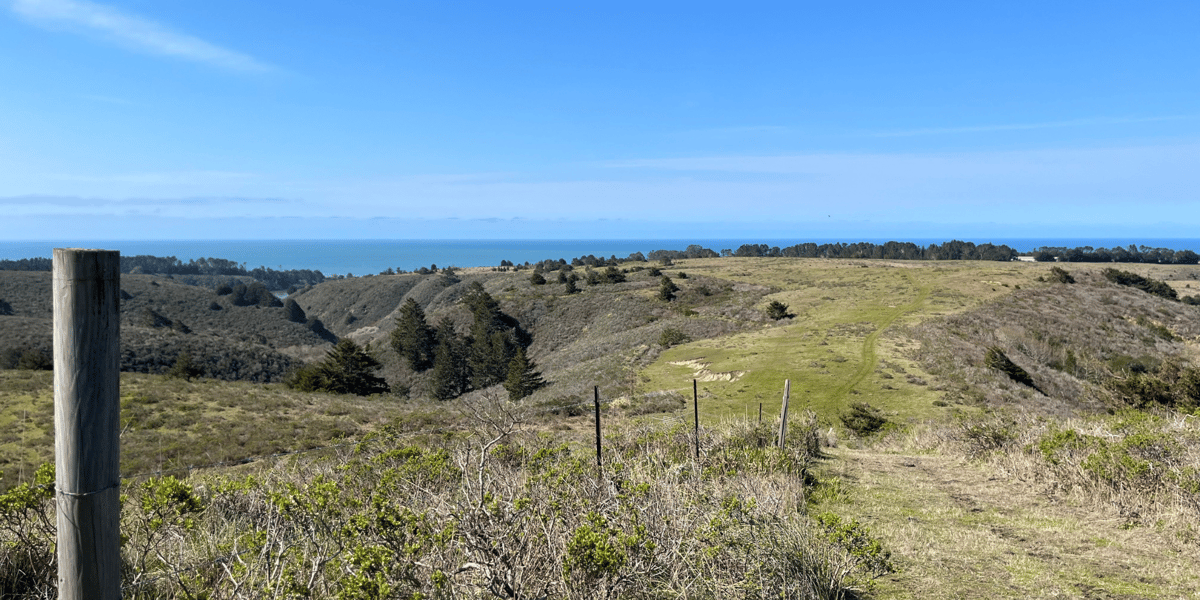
(497, 512)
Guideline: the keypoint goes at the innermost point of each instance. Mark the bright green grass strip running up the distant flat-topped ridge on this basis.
(842, 346)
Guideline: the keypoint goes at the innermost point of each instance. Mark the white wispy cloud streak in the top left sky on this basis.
(135, 32)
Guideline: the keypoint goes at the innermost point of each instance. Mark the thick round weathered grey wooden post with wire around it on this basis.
(87, 423)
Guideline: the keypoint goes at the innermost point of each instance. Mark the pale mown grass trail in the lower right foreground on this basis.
(962, 531)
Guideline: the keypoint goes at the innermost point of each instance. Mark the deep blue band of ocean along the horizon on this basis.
(364, 257)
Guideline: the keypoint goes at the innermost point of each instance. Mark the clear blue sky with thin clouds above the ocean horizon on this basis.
(179, 119)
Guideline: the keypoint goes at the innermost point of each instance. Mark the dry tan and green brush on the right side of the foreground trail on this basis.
(1142, 466)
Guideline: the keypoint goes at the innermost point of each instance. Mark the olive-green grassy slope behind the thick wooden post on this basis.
(171, 424)
